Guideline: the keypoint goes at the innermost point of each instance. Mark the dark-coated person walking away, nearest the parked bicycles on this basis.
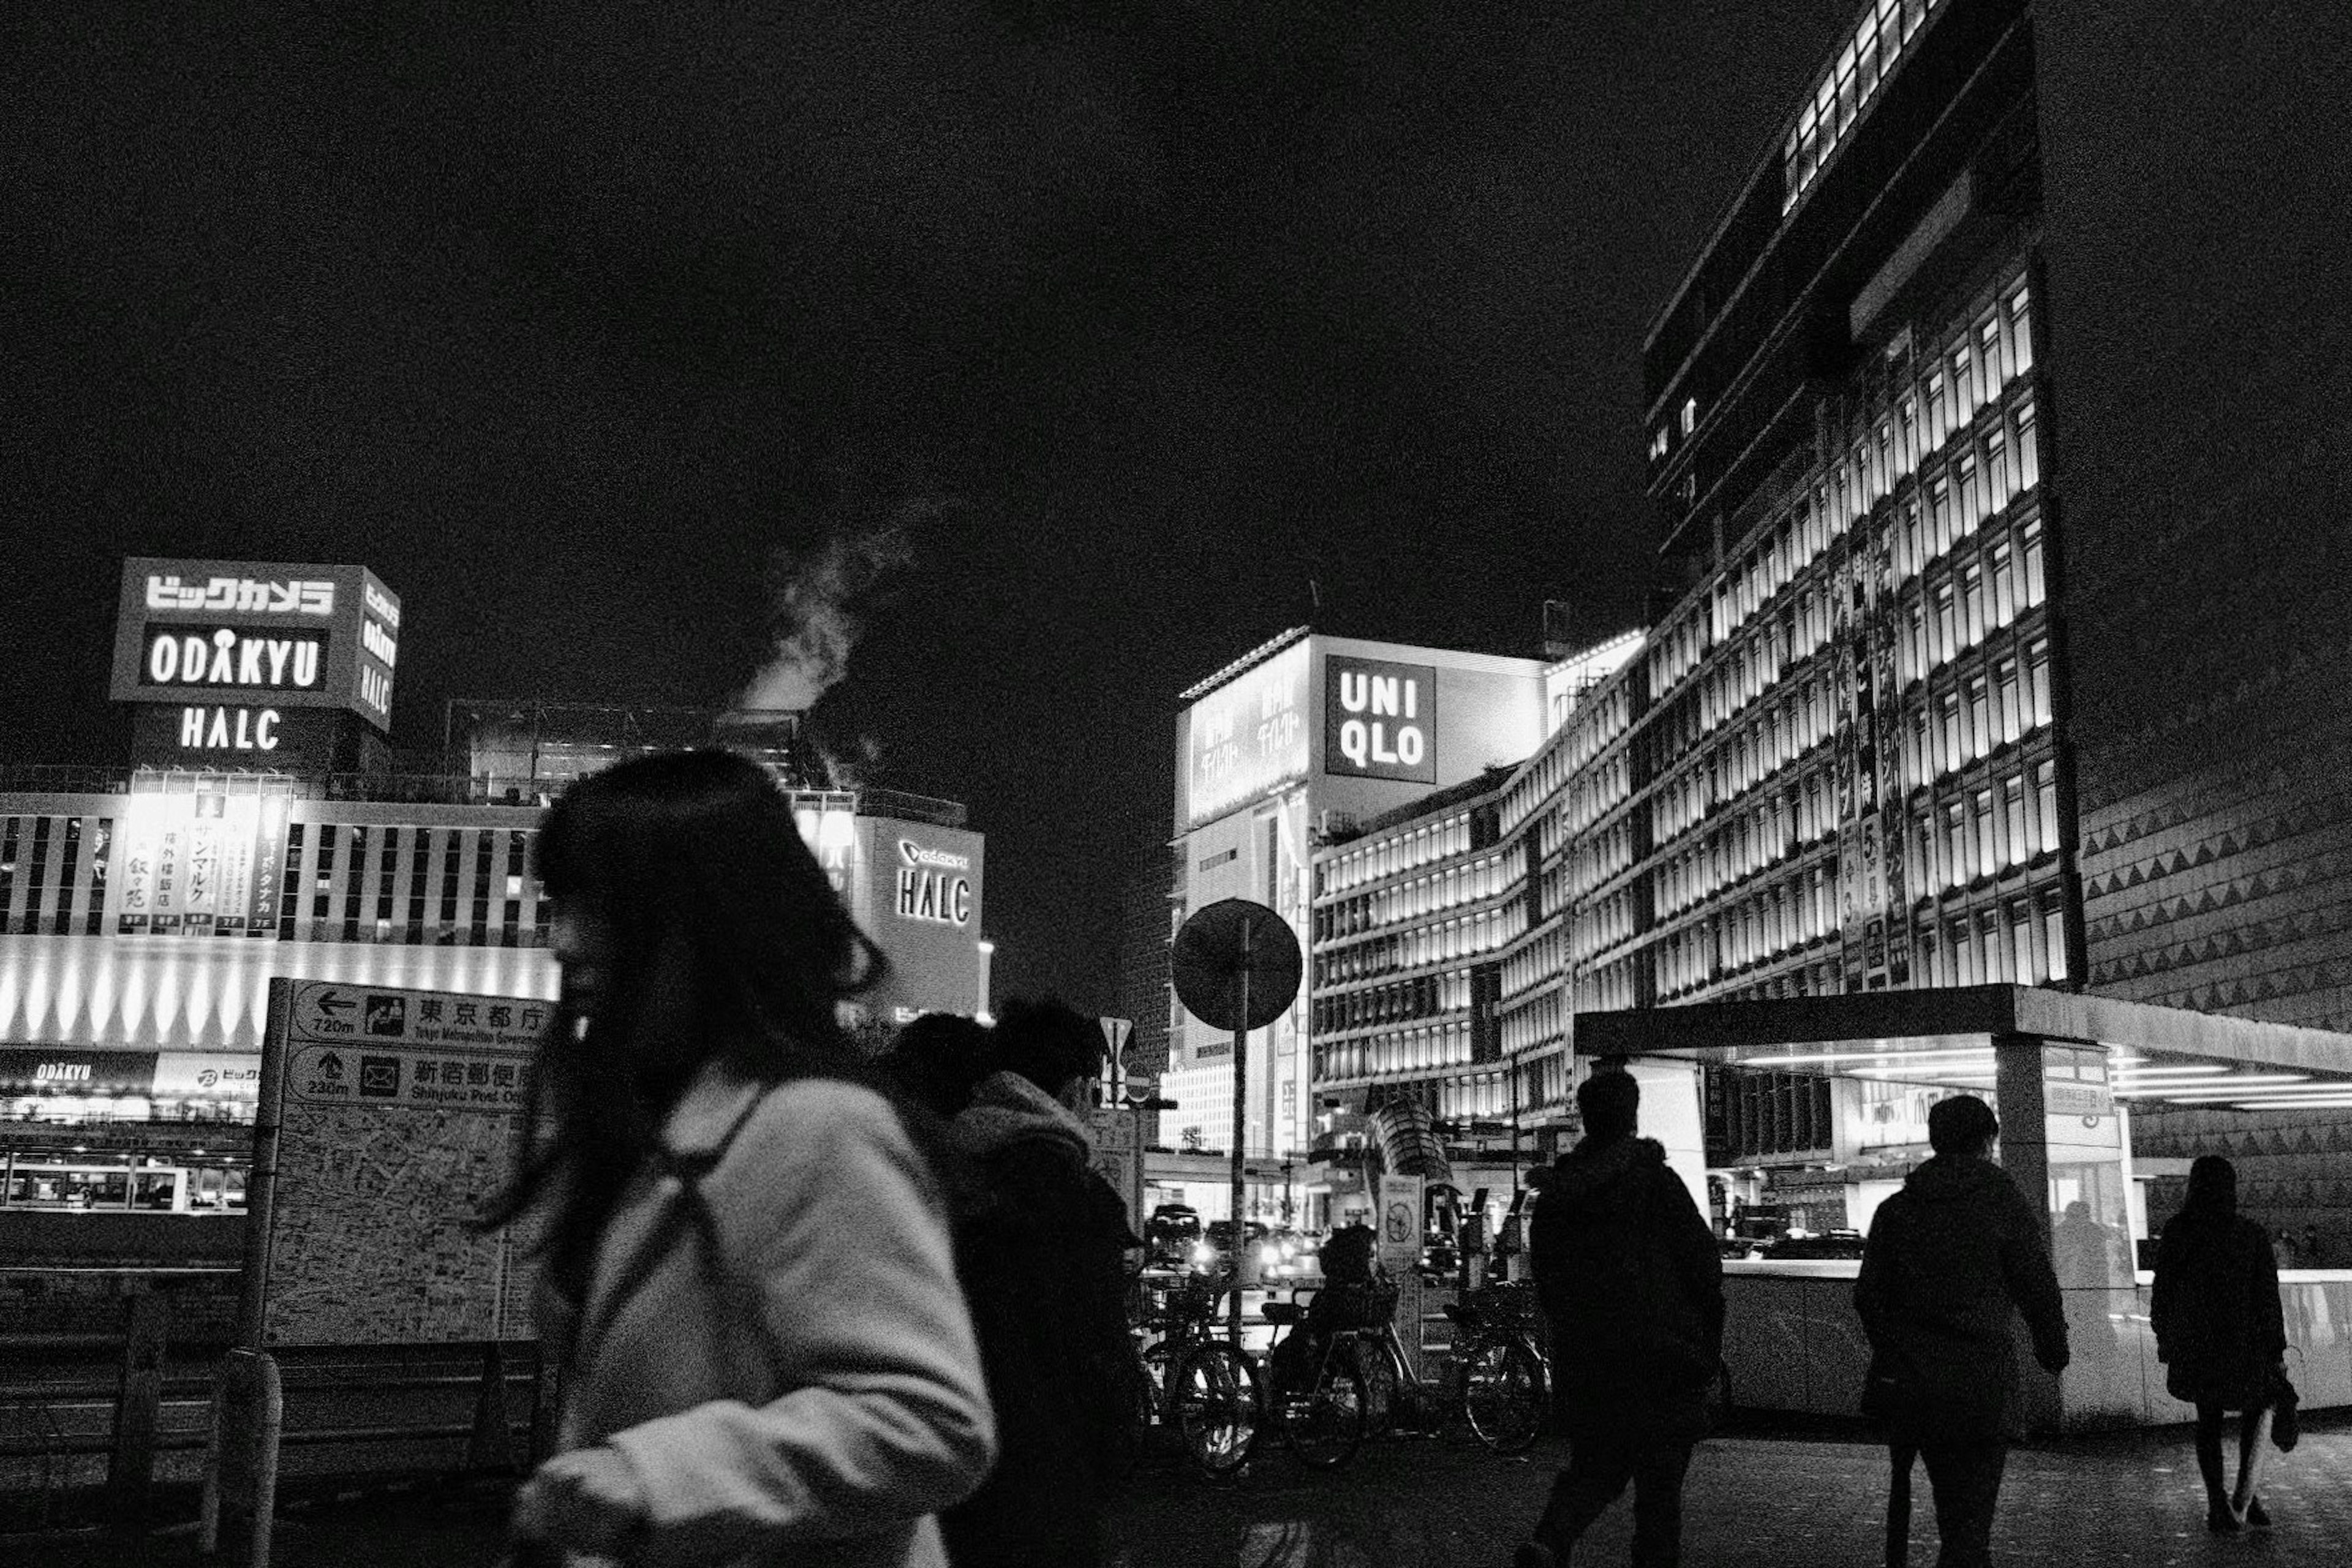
(1633, 1289)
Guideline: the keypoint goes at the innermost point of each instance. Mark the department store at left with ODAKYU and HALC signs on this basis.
(147, 909)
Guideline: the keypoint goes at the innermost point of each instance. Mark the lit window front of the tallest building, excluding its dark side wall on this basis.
(1852, 765)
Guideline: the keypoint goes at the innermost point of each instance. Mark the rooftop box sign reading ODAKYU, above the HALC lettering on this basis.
(293, 636)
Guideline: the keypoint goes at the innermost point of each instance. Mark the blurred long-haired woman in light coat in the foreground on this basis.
(747, 1273)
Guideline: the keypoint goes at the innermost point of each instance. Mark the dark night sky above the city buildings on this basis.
(1156, 330)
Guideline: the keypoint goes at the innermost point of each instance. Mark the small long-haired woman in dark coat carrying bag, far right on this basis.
(2221, 1332)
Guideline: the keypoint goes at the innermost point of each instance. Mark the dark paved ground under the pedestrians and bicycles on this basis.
(1784, 1499)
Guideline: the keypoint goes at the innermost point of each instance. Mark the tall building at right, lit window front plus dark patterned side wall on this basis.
(1958, 671)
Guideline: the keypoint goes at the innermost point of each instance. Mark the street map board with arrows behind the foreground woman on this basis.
(396, 1118)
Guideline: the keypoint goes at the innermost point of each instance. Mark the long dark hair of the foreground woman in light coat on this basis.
(728, 944)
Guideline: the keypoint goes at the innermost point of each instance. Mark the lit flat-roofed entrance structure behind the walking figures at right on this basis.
(2069, 1078)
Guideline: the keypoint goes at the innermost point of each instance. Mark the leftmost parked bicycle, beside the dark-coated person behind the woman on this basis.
(1194, 1381)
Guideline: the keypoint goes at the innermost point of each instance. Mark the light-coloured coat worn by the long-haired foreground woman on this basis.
(808, 1393)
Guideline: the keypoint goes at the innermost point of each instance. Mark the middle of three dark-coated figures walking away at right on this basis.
(1949, 1259)
